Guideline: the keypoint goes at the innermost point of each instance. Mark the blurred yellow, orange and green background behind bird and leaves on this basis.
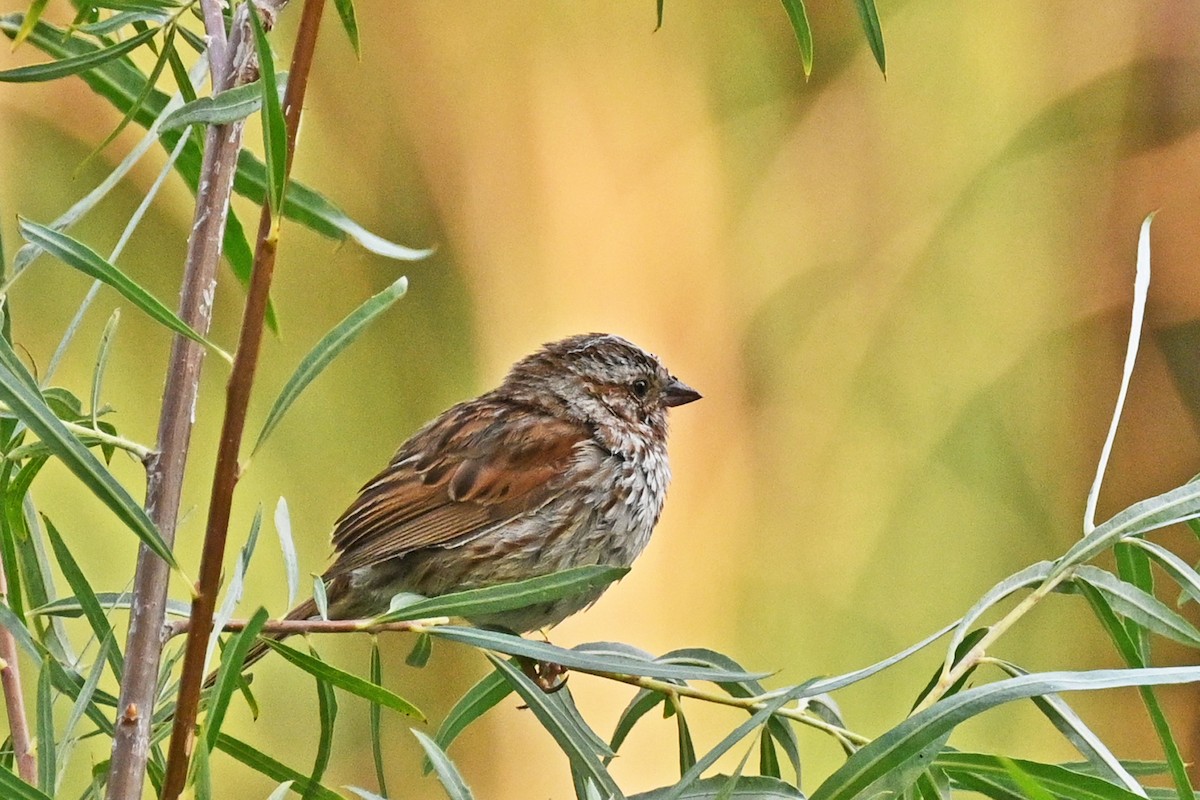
(905, 302)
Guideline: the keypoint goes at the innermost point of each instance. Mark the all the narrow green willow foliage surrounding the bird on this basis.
(913, 759)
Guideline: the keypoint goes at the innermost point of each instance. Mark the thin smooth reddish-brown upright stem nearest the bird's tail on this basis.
(225, 479)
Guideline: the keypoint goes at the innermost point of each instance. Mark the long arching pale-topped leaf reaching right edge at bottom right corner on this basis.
(896, 749)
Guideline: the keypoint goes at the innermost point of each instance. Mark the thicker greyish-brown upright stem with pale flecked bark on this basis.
(165, 472)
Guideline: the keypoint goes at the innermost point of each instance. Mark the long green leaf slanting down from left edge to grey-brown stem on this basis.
(34, 413)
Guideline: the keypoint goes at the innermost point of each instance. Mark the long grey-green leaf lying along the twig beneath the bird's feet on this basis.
(515, 646)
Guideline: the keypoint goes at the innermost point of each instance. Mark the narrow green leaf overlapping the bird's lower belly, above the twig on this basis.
(506, 597)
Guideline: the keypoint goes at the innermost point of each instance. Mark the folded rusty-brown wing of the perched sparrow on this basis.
(471, 470)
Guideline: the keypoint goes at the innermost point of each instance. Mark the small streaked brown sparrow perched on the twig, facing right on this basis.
(565, 465)
